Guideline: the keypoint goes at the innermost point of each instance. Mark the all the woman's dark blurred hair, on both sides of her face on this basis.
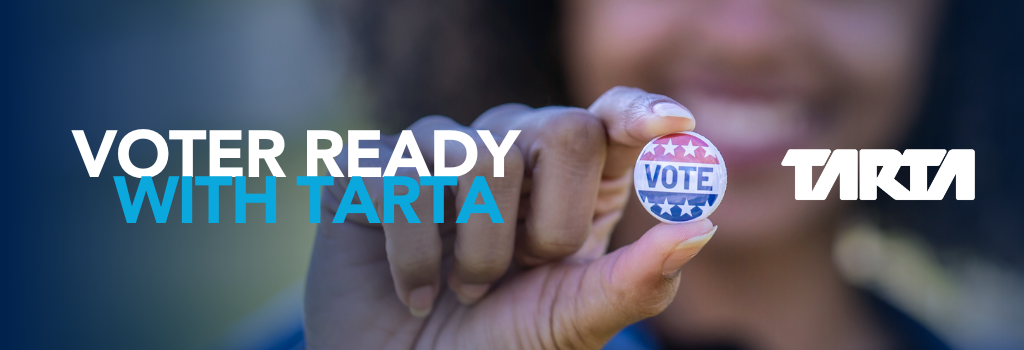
(459, 58)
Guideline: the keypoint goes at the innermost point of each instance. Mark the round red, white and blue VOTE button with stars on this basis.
(680, 178)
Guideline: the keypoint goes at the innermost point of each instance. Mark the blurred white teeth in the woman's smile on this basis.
(749, 124)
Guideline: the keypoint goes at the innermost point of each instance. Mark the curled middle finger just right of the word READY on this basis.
(565, 154)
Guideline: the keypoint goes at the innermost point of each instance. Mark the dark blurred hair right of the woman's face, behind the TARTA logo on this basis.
(973, 101)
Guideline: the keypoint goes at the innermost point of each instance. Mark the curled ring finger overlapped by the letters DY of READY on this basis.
(484, 249)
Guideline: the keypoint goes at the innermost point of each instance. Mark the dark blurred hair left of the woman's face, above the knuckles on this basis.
(452, 58)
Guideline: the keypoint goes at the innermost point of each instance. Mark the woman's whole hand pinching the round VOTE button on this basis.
(542, 282)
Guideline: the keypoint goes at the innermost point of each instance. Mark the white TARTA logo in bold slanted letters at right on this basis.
(843, 165)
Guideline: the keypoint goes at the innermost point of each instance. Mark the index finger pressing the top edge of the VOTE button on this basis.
(633, 118)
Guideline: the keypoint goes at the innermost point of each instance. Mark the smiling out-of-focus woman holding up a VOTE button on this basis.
(578, 259)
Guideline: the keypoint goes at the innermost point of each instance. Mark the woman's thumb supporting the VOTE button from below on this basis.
(635, 282)
